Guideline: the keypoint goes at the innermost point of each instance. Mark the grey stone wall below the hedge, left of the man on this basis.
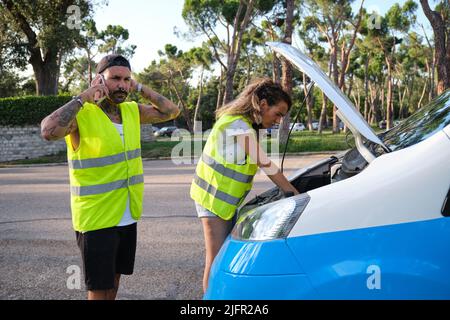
(26, 143)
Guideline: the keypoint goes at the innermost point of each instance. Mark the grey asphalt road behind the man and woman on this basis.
(39, 258)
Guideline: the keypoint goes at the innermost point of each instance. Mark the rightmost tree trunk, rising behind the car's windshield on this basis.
(442, 45)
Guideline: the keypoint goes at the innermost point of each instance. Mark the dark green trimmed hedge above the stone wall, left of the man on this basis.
(30, 110)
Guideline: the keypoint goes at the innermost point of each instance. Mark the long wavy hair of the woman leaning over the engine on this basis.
(247, 103)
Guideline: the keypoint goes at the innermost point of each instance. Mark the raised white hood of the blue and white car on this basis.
(346, 111)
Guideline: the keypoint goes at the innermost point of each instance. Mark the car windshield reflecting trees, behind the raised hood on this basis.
(421, 125)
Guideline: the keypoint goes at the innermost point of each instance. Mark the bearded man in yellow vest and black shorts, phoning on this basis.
(102, 132)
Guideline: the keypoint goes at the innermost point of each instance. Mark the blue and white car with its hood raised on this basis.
(373, 223)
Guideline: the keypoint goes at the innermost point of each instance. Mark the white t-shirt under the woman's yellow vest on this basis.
(231, 151)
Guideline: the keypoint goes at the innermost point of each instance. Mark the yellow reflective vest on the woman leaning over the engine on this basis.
(218, 185)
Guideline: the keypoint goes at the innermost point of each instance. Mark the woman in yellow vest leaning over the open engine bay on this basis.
(231, 157)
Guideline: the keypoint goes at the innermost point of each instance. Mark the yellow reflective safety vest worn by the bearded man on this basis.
(103, 170)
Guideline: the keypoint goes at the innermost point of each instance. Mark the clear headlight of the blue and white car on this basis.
(271, 221)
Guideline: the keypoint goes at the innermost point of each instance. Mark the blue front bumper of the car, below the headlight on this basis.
(263, 270)
